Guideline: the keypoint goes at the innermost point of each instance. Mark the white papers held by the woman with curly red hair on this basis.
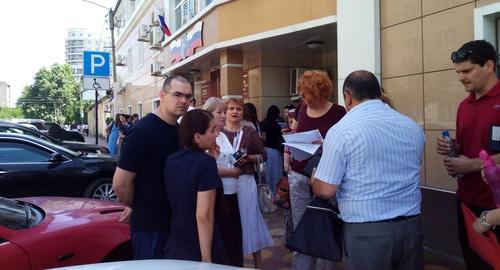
(301, 143)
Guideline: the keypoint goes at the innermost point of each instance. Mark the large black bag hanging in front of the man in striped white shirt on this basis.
(319, 232)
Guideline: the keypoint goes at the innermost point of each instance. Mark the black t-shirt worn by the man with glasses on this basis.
(147, 146)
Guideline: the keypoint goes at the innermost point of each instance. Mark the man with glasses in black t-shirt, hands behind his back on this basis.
(138, 179)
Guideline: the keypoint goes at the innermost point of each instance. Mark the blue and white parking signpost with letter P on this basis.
(96, 77)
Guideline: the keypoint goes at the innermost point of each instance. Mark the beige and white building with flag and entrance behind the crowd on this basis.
(256, 50)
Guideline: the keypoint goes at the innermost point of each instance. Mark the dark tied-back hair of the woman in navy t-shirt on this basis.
(192, 122)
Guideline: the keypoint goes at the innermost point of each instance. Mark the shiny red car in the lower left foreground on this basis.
(45, 232)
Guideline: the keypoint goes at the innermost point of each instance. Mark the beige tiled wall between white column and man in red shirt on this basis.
(417, 38)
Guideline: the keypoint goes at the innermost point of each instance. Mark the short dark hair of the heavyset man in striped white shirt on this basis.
(362, 84)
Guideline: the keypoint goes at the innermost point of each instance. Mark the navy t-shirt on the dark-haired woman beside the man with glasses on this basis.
(186, 173)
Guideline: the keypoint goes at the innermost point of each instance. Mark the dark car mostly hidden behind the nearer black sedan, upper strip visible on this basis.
(8, 127)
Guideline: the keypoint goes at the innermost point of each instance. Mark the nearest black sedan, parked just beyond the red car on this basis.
(34, 167)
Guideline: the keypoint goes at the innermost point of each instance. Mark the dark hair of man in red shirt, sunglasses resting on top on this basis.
(476, 51)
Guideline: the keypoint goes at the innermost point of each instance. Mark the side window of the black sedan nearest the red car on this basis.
(15, 152)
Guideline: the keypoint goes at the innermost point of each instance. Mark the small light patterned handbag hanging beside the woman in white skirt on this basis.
(264, 191)
